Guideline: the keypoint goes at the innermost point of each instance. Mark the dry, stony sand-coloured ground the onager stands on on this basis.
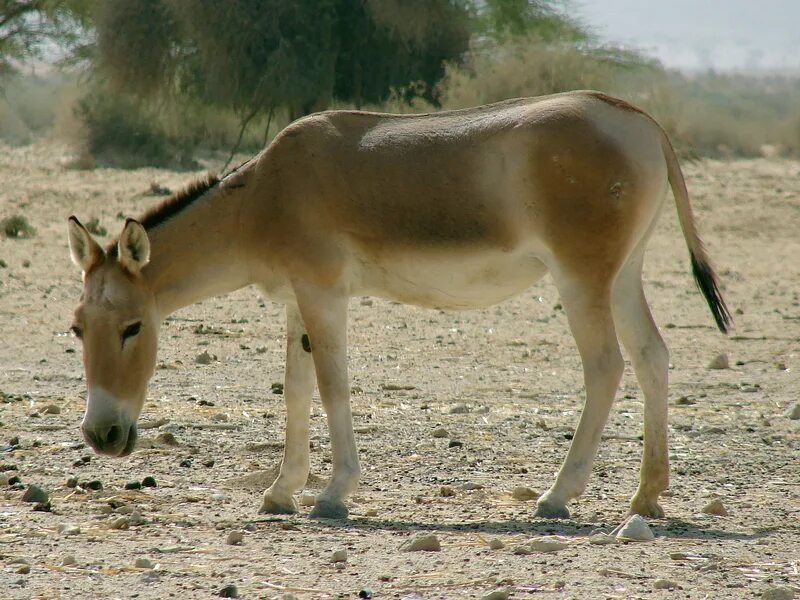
(453, 411)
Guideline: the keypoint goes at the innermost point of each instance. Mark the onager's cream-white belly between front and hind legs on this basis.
(450, 281)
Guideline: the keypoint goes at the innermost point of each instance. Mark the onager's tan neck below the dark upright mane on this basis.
(198, 252)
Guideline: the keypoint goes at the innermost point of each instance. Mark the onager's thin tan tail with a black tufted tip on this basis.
(703, 273)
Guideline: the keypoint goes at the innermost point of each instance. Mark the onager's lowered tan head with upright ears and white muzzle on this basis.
(117, 322)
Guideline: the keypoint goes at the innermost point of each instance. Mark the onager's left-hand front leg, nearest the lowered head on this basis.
(297, 389)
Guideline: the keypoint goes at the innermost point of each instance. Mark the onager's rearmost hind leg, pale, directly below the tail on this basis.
(650, 359)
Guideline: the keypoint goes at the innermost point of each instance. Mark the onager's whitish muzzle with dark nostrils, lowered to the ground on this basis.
(107, 427)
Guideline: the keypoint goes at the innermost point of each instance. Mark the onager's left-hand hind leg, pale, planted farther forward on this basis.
(587, 305)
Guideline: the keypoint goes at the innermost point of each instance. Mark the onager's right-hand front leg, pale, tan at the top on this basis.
(324, 311)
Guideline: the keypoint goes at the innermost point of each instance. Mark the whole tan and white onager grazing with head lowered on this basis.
(453, 210)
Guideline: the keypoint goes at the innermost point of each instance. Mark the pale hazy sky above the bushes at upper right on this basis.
(701, 34)
